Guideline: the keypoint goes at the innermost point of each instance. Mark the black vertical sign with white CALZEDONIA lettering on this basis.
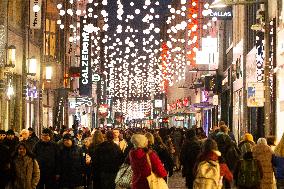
(85, 86)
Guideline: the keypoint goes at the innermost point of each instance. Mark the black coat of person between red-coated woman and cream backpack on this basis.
(188, 156)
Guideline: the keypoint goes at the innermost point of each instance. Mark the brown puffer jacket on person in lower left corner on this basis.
(27, 173)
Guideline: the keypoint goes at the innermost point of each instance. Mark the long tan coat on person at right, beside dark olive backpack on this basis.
(263, 153)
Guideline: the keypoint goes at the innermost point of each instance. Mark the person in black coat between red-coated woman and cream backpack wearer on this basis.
(188, 156)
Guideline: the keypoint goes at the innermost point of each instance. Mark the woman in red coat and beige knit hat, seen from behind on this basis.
(138, 161)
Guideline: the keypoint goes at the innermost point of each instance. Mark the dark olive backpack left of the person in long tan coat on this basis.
(248, 174)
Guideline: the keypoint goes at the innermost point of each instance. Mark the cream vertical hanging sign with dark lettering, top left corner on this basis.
(35, 14)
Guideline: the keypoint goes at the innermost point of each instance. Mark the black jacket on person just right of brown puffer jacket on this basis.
(47, 155)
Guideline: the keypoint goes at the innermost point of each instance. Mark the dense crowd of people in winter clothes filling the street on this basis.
(79, 158)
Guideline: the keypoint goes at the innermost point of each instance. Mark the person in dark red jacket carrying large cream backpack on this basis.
(210, 153)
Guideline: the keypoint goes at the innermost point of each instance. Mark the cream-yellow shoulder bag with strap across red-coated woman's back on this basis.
(154, 181)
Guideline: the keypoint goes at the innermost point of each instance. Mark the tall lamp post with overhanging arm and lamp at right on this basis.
(267, 104)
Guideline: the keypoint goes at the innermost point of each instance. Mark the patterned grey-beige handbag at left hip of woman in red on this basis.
(124, 176)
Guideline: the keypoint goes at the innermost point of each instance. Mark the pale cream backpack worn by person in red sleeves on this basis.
(208, 176)
